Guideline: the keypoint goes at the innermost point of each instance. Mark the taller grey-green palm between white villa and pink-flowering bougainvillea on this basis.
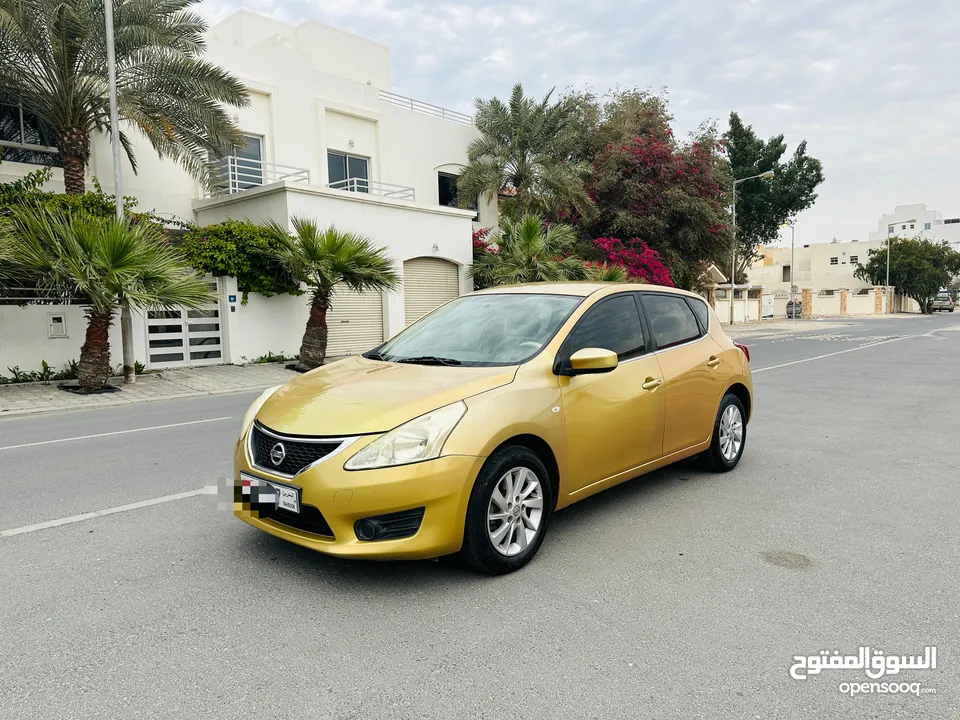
(526, 153)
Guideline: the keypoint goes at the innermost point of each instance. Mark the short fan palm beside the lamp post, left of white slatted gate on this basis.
(108, 263)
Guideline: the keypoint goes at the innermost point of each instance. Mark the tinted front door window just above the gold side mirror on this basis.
(612, 324)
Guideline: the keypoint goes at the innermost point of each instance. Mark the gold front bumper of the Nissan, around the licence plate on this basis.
(441, 487)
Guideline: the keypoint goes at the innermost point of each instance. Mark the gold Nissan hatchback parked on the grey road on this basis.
(468, 429)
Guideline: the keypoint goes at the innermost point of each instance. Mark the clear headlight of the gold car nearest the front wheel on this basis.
(420, 439)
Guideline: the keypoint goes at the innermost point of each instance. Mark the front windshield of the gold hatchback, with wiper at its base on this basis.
(488, 329)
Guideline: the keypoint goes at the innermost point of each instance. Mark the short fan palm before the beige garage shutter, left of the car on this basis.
(321, 259)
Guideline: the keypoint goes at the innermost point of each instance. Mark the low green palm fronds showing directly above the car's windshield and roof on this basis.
(527, 250)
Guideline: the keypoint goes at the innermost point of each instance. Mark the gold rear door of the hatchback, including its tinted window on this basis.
(693, 377)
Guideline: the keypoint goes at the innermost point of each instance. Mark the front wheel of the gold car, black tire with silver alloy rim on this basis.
(508, 512)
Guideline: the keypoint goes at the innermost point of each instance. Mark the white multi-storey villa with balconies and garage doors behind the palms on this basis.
(325, 138)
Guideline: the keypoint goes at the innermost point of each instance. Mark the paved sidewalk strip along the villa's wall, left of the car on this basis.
(27, 398)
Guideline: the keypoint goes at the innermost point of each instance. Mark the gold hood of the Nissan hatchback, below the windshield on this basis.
(357, 396)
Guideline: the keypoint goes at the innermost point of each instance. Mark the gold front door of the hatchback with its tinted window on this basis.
(614, 420)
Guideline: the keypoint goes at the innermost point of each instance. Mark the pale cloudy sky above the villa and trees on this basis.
(866, 82)
